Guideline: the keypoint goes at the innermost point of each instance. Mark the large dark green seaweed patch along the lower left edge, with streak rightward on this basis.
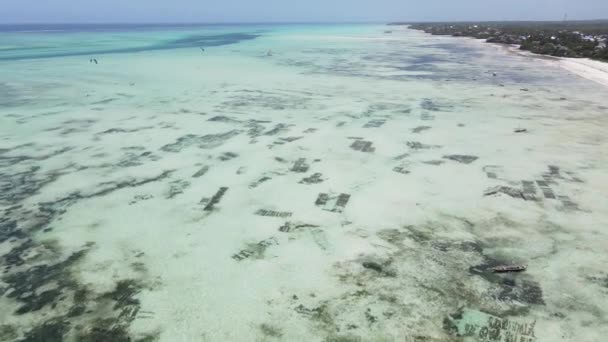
(35, 283)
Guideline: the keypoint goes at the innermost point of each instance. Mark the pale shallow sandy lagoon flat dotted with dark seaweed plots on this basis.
(344, 189)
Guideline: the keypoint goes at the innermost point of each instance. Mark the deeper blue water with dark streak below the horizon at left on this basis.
(37, 41)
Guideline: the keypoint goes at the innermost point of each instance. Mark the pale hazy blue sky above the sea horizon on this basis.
(207, 11)
